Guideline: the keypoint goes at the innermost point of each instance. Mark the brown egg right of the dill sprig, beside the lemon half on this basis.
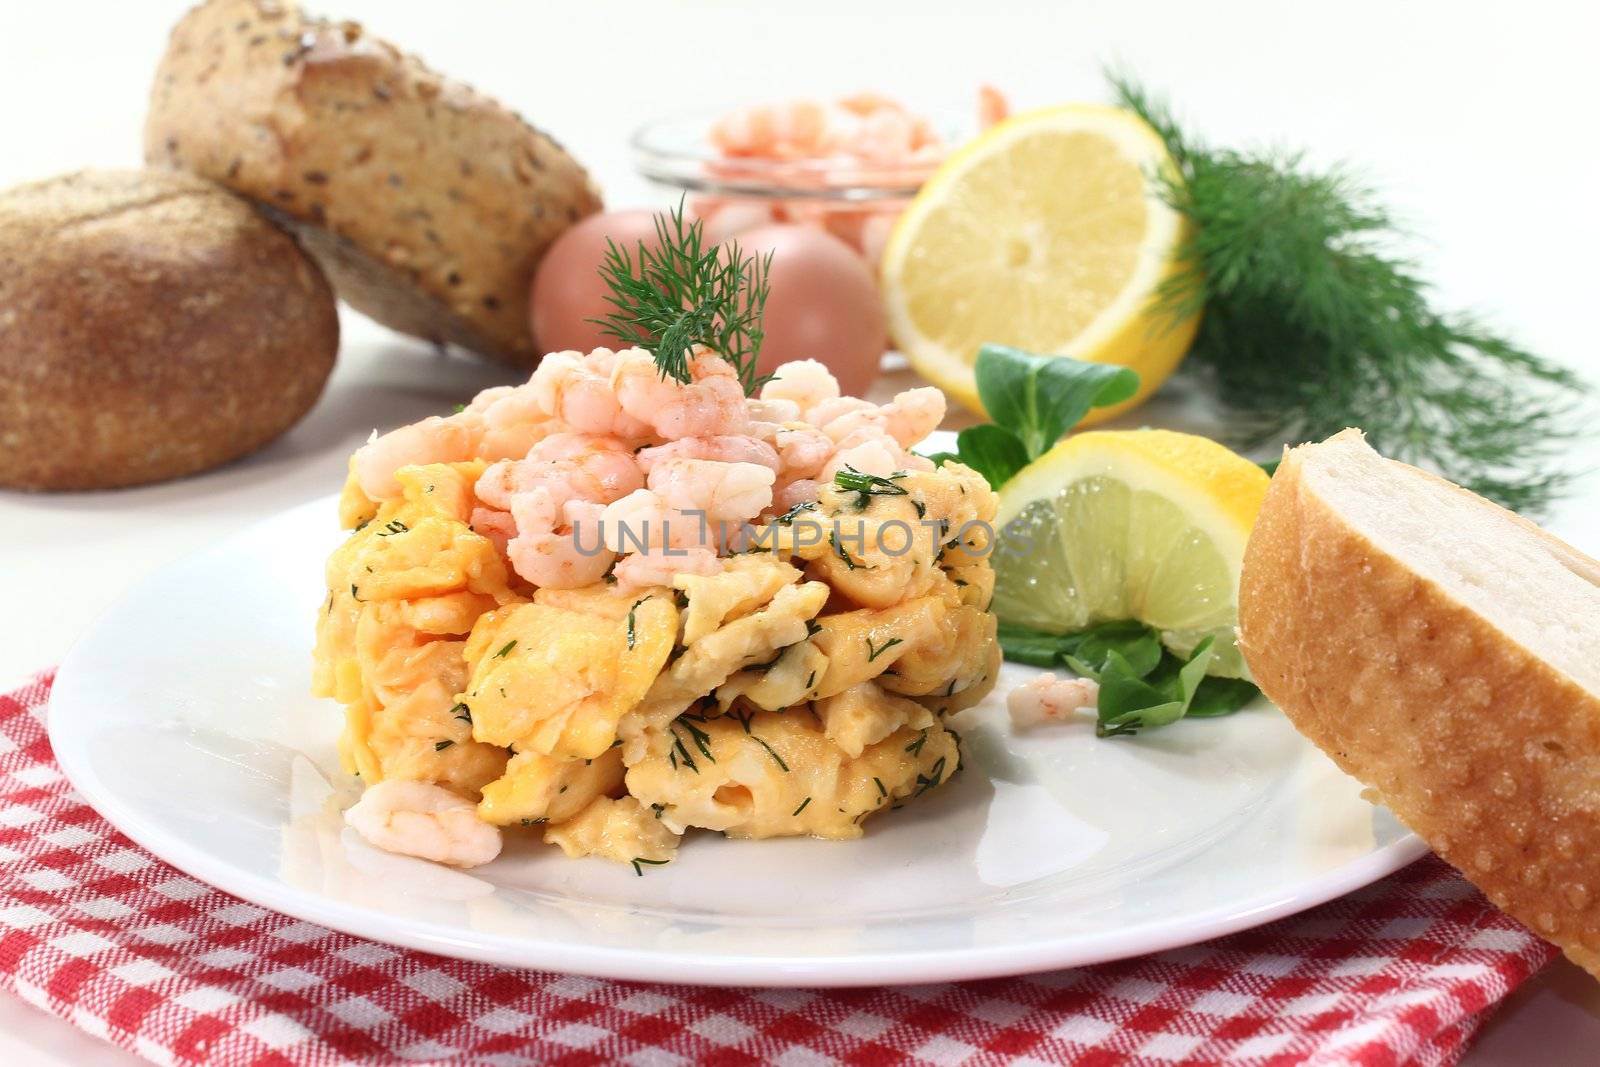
(825, 305)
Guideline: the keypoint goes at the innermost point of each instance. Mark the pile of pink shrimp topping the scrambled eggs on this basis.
(601, 468)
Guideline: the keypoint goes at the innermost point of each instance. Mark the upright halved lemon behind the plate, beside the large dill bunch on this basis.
(1047, 234)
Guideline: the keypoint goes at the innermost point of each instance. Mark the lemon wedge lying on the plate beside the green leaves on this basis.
(1143, 526)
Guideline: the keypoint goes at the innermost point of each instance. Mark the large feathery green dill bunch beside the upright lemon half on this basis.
(1311, 324)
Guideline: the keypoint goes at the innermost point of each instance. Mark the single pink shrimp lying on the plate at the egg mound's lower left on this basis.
(426, 821)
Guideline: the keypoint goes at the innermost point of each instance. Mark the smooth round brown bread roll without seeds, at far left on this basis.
(151, 326)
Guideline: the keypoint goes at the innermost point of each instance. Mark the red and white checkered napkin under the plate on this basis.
(110, 938)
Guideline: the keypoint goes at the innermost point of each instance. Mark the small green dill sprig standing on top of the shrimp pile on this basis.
(682, 294)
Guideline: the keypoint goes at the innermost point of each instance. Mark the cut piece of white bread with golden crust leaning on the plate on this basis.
(1444, 652)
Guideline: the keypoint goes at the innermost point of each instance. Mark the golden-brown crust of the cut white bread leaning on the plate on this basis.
(1474, 741)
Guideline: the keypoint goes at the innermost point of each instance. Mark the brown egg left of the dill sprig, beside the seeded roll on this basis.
(569, 290)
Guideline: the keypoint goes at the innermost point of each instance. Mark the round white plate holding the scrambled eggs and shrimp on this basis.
(185, 719)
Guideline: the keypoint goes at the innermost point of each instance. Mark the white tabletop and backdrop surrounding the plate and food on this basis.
(1474, 119)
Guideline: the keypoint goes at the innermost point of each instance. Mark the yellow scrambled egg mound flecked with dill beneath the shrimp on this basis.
(796, 692)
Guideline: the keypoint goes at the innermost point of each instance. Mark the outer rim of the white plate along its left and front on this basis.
(650, 965)
